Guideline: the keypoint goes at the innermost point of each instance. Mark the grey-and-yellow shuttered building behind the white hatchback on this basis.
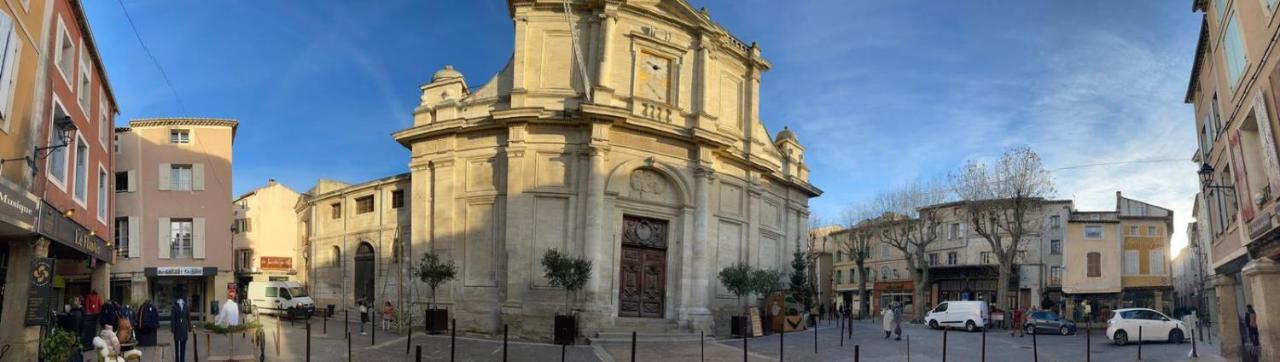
(1119, 259)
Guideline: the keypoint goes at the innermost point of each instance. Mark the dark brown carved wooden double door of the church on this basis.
(643, 268)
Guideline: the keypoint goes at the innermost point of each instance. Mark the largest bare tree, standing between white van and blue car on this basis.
(1003, 204)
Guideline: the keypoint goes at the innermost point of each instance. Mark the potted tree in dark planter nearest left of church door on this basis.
(572, 274)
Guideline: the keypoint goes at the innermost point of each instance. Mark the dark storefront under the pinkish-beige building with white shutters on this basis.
(168, 283)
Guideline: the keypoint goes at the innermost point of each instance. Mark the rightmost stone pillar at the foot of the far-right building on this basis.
(1264, 278)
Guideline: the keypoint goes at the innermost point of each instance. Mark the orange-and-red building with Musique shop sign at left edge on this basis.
(57, 113)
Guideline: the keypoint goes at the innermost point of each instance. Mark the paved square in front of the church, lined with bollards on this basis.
(926, 345)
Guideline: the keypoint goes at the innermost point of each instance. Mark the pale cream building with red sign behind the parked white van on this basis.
(266, 235)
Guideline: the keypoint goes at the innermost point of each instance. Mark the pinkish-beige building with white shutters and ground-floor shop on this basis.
(173, 212)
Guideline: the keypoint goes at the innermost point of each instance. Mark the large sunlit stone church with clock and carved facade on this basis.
(625, 131)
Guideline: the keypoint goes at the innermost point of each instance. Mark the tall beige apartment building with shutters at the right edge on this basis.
(1233, 86)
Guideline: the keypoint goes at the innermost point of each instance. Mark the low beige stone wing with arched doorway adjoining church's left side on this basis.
(354, 242)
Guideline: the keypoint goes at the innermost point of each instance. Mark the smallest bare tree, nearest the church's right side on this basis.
(857, 242)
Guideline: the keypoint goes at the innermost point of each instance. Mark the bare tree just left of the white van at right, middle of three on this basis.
(911, 226)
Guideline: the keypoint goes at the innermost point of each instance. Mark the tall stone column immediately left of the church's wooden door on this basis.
(593, 236)
